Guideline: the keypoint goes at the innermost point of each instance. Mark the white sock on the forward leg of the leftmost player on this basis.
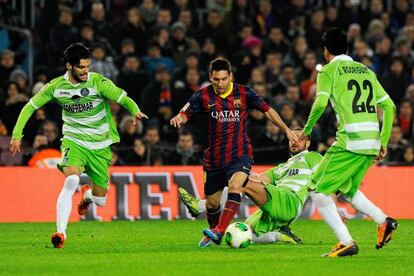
(64, 202)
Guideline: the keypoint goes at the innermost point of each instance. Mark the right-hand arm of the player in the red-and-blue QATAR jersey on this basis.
(256, 102)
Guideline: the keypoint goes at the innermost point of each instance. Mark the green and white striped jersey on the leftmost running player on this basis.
(86, 114)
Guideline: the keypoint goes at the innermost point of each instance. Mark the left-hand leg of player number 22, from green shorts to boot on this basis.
(333, 174)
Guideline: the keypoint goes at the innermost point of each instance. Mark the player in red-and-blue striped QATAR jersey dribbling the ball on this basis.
(228, 157)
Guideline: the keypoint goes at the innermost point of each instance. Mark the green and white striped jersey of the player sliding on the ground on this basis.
(295, 174)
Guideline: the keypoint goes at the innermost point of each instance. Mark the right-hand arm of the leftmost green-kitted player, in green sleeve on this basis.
(112, 92)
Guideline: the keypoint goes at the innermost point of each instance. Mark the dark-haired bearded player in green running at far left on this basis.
(88, 131)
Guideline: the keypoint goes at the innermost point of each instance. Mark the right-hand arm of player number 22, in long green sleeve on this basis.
(384, 101)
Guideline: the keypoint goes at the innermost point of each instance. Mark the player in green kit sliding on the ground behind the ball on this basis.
(281, 204)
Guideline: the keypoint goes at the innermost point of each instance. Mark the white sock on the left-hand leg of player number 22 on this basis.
(328, 211)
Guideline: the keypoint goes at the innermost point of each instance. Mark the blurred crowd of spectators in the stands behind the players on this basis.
(159, 51)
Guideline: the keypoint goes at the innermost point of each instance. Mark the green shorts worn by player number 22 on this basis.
(340, 170)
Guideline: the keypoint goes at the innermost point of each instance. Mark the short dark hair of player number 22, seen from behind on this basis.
(335, 41)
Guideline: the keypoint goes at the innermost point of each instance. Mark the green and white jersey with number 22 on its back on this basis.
(354, 93)
